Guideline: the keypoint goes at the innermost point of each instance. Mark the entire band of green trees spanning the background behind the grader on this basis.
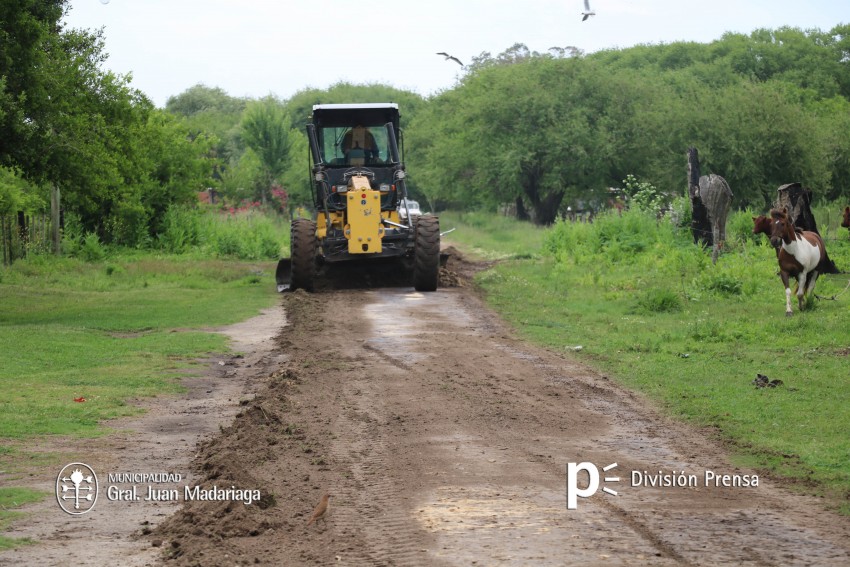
(539, 131)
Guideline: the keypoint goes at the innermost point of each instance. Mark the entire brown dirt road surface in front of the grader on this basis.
(444, 440)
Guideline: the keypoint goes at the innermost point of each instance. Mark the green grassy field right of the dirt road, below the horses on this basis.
(651, 310)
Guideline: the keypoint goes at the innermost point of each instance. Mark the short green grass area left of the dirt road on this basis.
(107, 332)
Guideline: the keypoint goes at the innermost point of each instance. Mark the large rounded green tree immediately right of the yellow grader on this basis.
(523, 127)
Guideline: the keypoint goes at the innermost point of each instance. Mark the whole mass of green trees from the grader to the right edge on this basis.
(548, 130)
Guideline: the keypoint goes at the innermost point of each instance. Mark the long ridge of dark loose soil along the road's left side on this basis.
(266, 448)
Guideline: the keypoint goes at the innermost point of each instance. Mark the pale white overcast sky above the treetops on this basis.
(255, 48)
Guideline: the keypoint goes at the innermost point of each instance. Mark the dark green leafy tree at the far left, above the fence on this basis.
(66, 122)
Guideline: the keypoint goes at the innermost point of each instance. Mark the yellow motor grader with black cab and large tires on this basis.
(358, 185)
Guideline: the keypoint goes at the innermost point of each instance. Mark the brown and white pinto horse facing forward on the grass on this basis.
(801, 255)
